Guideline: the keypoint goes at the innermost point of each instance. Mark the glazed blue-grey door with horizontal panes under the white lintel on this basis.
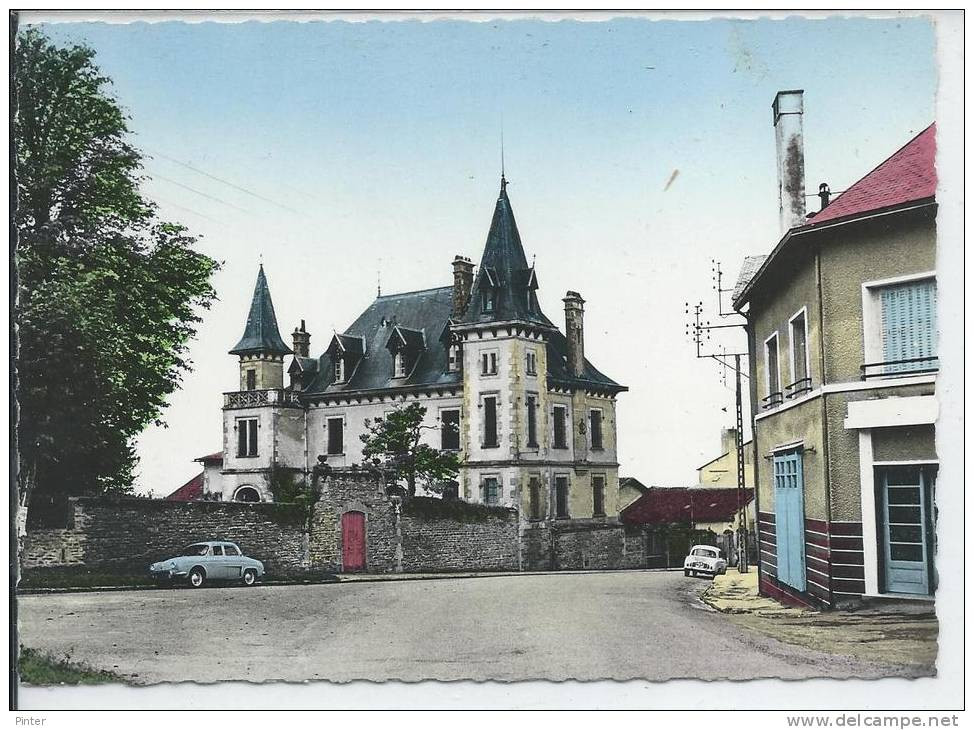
(906, 526)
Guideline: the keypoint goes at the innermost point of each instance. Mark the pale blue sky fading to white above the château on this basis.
(354, 148)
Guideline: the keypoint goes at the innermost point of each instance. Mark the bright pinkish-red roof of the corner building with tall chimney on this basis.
(909, 175)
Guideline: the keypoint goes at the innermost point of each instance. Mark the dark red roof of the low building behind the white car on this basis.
(662, 505)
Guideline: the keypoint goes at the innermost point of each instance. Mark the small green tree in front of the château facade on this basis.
(392, 444)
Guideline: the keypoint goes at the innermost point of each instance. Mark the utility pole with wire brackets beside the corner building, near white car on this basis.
(699, 331)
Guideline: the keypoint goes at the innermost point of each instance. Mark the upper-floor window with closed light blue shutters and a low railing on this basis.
(909, 325)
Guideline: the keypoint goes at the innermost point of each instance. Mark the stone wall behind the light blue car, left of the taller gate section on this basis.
(127, 534)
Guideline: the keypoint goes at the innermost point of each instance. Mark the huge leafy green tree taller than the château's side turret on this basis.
(108, 294)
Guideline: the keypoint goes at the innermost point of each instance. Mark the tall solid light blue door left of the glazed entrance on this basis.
(789, 507)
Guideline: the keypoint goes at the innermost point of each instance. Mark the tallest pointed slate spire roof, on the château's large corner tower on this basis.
(504, 268)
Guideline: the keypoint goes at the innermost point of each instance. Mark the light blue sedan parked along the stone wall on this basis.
(202, 562)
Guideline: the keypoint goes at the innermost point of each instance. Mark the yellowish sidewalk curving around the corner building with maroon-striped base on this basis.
(890, 633)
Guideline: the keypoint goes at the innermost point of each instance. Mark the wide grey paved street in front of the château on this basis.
(619, 625)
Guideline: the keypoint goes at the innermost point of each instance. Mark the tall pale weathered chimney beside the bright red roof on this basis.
(788, 111)
